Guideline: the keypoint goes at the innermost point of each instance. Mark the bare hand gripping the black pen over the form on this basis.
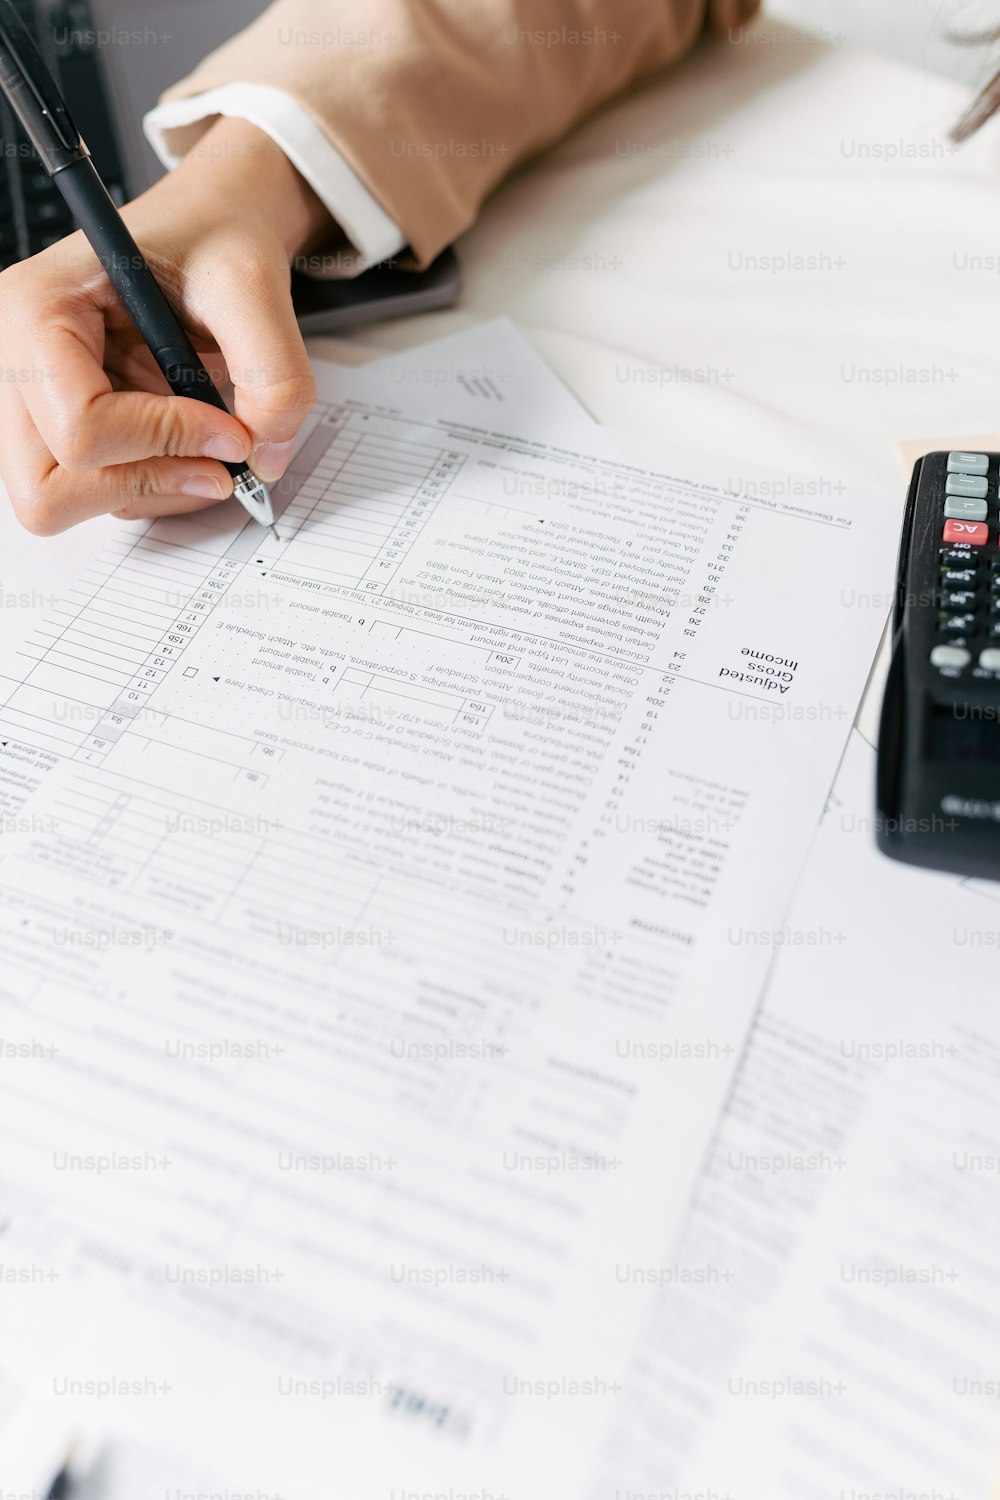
(88, 422)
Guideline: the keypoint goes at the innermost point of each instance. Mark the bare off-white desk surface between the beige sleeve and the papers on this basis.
(758, 152)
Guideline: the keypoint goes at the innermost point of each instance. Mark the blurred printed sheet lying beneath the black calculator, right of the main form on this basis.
(827, 1324)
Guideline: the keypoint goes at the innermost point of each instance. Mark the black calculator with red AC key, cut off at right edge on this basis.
(939, 740)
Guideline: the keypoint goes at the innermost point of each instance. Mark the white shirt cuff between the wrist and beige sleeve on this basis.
(175, 127)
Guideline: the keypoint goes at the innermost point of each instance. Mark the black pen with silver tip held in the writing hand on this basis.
(38, 104)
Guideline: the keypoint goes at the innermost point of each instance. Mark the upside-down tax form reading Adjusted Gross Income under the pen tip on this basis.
(385, 911)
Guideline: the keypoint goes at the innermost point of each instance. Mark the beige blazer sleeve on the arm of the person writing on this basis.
(434, 103)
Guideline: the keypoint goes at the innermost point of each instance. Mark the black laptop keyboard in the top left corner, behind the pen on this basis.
(32, 209)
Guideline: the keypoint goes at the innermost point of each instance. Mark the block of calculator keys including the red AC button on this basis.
(968, 598)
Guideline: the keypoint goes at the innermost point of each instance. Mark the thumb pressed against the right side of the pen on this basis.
(268, 362)
